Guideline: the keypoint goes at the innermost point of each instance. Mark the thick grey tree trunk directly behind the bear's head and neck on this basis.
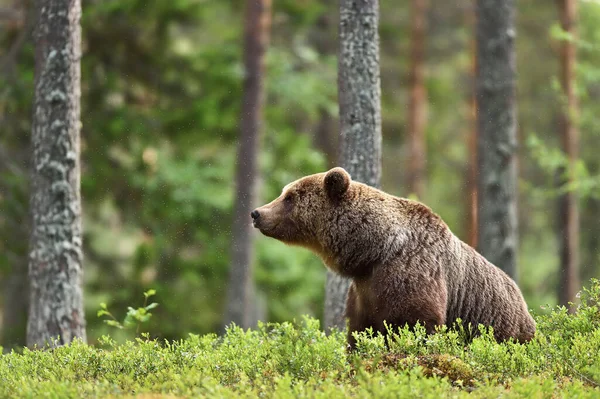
(359, 96)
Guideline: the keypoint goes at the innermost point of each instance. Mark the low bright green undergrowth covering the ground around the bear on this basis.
(289, 360)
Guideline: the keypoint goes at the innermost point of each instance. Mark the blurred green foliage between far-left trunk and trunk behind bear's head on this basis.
(161, 109)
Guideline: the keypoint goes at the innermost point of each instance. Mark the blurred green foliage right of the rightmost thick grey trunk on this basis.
(542, 157)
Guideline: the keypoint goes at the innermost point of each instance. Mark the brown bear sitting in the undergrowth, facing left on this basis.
(405, 263)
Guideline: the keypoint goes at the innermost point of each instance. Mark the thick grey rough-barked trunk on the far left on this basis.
(55, 254)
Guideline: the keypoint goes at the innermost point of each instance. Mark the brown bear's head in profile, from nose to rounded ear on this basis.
(299, 215)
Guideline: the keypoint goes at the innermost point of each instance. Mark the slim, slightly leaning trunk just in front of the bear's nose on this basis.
(240, 296)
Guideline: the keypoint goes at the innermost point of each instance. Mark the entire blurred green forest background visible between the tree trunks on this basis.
(161, 96)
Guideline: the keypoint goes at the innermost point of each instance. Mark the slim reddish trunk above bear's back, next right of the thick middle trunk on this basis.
(417, 117)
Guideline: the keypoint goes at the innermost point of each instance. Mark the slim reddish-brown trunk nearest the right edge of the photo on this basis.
(568, 223)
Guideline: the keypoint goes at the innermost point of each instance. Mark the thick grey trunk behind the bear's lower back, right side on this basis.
(497, 142)
